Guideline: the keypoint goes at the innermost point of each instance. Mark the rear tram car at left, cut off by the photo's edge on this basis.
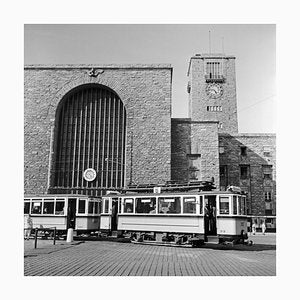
(80, 212)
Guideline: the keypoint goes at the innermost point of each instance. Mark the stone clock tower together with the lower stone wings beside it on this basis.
(245, 160)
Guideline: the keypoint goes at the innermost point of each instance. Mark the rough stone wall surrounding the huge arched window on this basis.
(145, 91)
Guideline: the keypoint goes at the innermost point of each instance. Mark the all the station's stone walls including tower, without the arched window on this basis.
(204, 146)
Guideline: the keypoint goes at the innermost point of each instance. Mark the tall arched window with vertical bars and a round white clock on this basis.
(90, 134)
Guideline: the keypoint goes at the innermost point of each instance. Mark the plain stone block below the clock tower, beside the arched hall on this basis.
(194, 151)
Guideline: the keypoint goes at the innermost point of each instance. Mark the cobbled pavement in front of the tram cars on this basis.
(103, 258)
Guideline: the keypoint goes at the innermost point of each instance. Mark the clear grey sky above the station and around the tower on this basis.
(252, 45)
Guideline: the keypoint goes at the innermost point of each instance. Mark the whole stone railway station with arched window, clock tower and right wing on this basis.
(91, 128)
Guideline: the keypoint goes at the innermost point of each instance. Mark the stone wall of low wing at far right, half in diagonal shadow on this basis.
(256, 159)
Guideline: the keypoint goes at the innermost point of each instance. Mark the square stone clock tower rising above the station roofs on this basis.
(212, 91)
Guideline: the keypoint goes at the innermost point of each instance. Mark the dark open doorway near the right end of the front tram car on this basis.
(210, 215)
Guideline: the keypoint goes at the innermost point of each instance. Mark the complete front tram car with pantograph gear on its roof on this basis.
(192, 218)
